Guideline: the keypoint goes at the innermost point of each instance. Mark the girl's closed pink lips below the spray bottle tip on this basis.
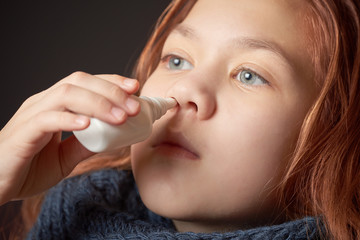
(175, 145)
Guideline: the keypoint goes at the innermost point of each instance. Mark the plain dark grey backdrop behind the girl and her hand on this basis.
(44, 41)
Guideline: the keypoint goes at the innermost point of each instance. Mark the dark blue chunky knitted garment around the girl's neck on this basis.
(106, 205)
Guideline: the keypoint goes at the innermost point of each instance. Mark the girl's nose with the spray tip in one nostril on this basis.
(195, 95)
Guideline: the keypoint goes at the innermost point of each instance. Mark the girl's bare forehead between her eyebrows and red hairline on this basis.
(216, 23)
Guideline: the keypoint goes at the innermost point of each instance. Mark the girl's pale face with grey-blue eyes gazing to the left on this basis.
(244, 82)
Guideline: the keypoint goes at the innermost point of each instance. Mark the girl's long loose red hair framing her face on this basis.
(323, 177)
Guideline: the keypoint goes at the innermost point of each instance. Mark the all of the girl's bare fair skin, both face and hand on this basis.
(244, 83)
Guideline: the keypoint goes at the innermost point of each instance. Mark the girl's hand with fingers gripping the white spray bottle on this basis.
(32, 156)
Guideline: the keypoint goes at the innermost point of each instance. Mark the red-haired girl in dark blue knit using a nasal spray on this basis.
(264, 141)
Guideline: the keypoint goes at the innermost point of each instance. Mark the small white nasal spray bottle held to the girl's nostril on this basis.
(101, 136)
